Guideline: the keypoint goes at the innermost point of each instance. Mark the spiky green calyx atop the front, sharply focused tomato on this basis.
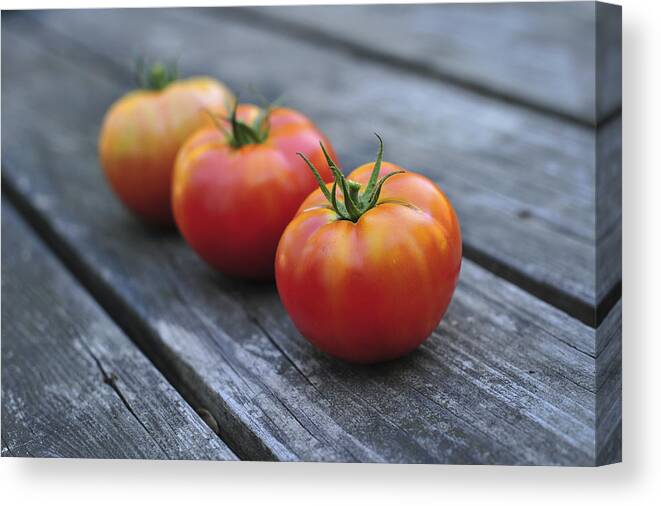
(357, 200)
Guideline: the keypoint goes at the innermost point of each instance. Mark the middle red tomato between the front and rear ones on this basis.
(237, 186)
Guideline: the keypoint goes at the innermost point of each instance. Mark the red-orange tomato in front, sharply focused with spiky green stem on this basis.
(366, 276)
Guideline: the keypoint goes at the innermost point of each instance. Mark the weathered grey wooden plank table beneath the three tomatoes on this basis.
(117, 341)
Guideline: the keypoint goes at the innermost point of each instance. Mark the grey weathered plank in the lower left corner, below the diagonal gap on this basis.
(73, 385)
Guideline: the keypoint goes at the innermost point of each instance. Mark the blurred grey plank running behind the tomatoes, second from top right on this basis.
(523, 184)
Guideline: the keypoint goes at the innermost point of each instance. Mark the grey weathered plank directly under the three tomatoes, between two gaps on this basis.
(506, 378)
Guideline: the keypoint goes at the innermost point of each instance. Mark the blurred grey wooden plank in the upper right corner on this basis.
(539, 54)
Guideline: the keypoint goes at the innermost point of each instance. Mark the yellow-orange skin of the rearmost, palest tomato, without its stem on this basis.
(141, 134)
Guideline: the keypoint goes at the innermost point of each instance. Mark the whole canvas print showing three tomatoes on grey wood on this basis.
(357, 233)
